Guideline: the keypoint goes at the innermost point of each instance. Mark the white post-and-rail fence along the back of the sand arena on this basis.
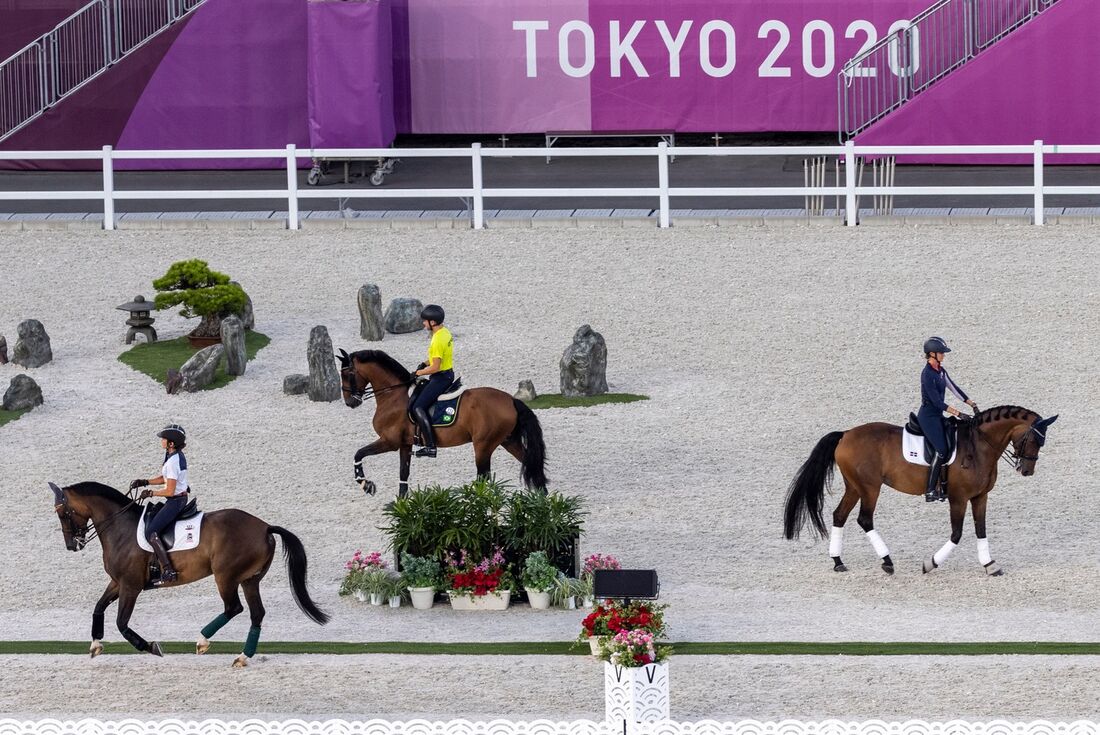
(478, 193)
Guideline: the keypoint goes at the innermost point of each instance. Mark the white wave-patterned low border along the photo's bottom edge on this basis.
(90, 727)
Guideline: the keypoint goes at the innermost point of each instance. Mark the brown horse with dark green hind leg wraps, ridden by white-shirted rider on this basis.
(236, 547)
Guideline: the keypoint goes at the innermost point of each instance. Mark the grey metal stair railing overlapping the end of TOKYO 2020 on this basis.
(916, 54)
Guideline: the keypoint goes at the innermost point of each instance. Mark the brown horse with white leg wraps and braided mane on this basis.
(871, 456)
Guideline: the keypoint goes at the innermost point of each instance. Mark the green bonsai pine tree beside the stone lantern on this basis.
(202, 292)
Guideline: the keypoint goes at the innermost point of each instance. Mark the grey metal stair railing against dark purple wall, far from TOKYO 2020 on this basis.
(76, 51)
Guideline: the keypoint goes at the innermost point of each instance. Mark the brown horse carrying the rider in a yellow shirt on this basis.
(489, 419)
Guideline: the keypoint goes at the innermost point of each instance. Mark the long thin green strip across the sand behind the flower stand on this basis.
(559, 649)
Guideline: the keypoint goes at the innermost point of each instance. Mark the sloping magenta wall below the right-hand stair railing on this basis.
(1038, 84)
